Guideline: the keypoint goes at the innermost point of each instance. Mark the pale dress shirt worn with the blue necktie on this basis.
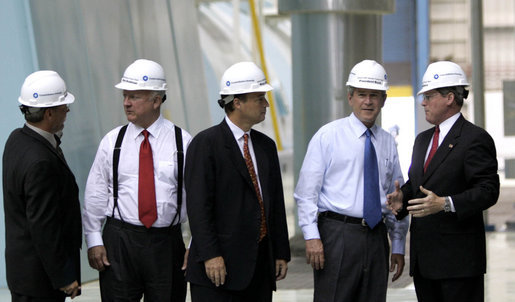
(331, 177)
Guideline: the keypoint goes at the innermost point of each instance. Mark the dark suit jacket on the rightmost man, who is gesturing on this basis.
(452, 245)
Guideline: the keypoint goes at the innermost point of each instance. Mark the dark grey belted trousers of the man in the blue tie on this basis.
(356, 262)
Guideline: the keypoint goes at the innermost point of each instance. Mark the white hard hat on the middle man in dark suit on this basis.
(243, 77)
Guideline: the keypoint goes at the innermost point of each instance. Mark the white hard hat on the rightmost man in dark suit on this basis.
(443, 74)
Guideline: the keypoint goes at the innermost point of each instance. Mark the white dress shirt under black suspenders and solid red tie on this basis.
(98, 198)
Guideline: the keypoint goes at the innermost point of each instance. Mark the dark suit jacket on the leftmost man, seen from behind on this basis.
(42, 216)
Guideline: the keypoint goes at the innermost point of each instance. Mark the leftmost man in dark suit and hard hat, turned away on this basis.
(41, 202)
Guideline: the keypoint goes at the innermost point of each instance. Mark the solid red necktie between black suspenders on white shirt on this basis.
(146, 188)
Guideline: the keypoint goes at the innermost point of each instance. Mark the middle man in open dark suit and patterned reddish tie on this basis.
(235, 198)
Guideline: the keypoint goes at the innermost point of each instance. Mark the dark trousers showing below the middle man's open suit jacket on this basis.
(259, 290)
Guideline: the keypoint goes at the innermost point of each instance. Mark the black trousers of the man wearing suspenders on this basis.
(144, 263)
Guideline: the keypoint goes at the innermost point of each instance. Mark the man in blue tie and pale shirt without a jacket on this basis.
(348, 253)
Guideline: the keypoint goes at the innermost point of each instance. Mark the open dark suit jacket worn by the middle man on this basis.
(223, 208)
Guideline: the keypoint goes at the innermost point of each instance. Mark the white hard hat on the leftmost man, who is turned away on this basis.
(44, 88)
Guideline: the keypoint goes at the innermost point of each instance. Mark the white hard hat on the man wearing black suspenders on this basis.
(143, 75)
